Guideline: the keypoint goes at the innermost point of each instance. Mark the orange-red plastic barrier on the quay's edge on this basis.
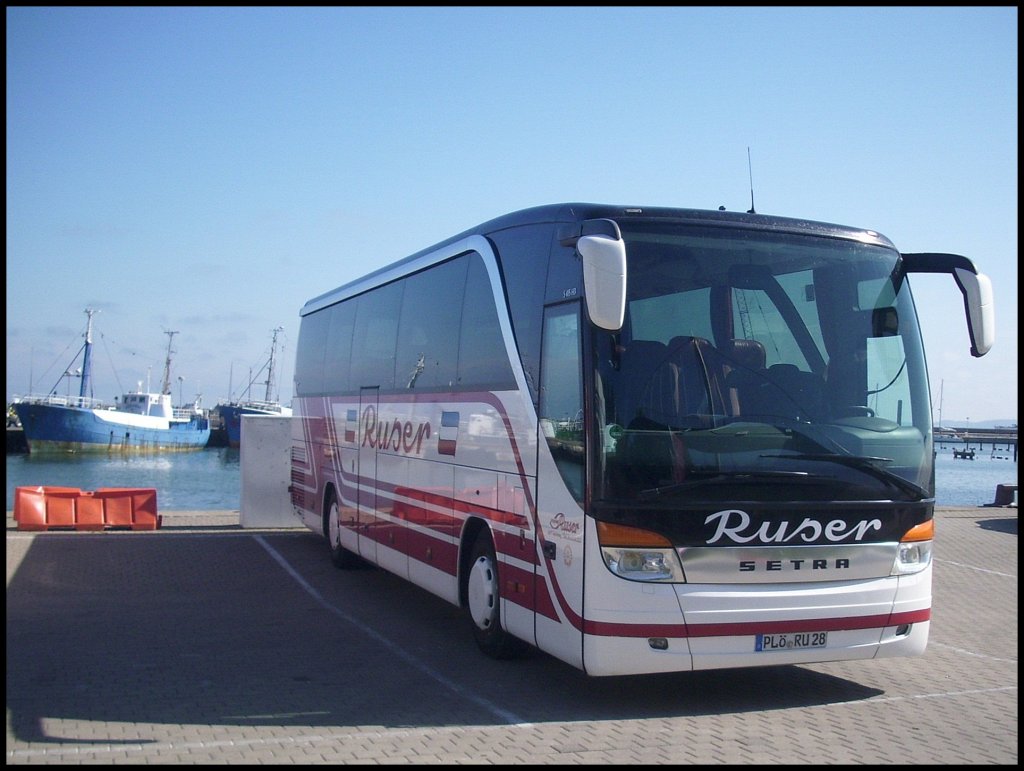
(70, 508)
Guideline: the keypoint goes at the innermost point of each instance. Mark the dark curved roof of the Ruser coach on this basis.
(579, 212)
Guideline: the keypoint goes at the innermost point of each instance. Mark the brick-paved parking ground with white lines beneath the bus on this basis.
(203, 642)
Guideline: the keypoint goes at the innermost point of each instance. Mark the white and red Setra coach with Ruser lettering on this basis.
(639, 440)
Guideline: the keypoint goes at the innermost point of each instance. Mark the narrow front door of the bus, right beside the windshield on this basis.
(561, 487)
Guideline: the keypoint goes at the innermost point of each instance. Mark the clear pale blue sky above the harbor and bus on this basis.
(206, 172)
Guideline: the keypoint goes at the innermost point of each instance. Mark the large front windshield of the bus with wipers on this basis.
(760, 366)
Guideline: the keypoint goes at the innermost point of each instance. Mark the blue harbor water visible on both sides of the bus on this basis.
(211, 479)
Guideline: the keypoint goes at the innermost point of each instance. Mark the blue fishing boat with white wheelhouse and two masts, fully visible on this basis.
(141, 422)
